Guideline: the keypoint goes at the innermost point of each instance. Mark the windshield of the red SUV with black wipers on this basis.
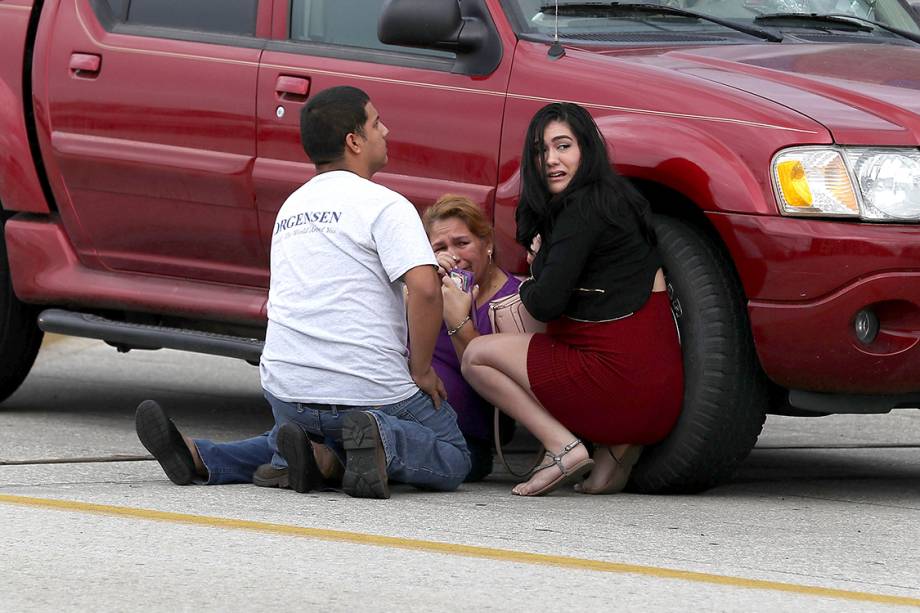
(729, 20)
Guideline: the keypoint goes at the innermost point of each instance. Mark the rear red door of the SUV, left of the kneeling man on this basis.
(149, 134)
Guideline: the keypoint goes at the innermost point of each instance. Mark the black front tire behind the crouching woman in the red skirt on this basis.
(725, 390)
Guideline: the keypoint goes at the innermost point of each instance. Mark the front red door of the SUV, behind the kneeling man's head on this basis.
(445, 125)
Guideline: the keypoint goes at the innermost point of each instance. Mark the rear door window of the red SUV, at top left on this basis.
(218, 16)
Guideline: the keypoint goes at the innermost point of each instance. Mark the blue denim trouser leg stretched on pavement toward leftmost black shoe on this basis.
(236, 461)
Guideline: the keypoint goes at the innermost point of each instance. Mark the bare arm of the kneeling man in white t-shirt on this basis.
(424, 307)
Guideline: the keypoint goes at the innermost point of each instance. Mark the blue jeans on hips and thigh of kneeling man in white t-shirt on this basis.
(423, 445)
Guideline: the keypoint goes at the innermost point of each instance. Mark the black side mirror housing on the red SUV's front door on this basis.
(420, 23)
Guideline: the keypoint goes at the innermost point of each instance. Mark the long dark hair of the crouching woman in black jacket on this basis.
(595, 182)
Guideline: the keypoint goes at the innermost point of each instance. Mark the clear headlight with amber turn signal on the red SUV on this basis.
(873, 184)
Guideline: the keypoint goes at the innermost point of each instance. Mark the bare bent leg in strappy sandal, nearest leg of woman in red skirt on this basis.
(496, 366)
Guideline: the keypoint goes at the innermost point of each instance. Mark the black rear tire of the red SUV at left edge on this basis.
(20, 336)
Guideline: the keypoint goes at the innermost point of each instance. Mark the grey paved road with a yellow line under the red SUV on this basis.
(824, 516)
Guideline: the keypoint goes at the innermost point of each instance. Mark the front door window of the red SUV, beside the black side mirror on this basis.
(352, 23)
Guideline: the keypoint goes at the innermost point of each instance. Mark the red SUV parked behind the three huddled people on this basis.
(148, 144)
